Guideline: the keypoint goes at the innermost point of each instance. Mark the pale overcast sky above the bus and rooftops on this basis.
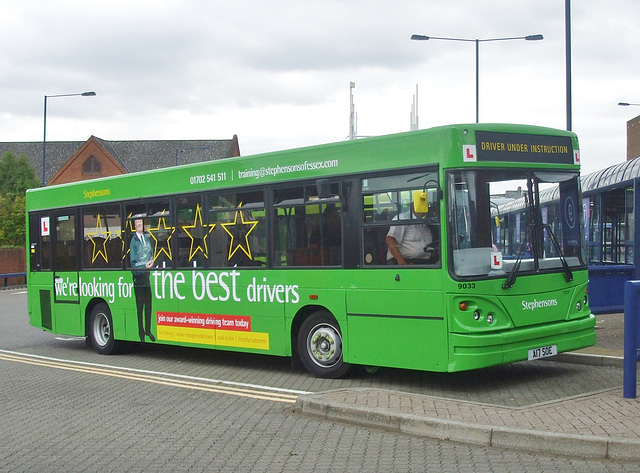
(277, 73)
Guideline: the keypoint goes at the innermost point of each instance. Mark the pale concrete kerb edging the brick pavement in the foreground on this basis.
(571, 445)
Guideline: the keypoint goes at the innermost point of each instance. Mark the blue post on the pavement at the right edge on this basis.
(631, 298)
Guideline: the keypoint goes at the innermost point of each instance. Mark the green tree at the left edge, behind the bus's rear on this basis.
(16, 176)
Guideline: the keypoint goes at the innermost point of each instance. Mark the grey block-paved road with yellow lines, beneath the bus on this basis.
(64, 408)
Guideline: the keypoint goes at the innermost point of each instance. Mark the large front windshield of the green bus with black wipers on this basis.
(505, 222)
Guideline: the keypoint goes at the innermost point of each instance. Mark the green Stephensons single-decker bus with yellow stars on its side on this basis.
(299, 253)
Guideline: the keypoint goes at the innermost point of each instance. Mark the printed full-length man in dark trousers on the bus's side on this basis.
(141, 256)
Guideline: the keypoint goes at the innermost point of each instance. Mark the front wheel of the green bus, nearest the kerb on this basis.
(320, 347)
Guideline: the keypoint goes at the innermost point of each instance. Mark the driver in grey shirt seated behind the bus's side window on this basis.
(409, 244)
